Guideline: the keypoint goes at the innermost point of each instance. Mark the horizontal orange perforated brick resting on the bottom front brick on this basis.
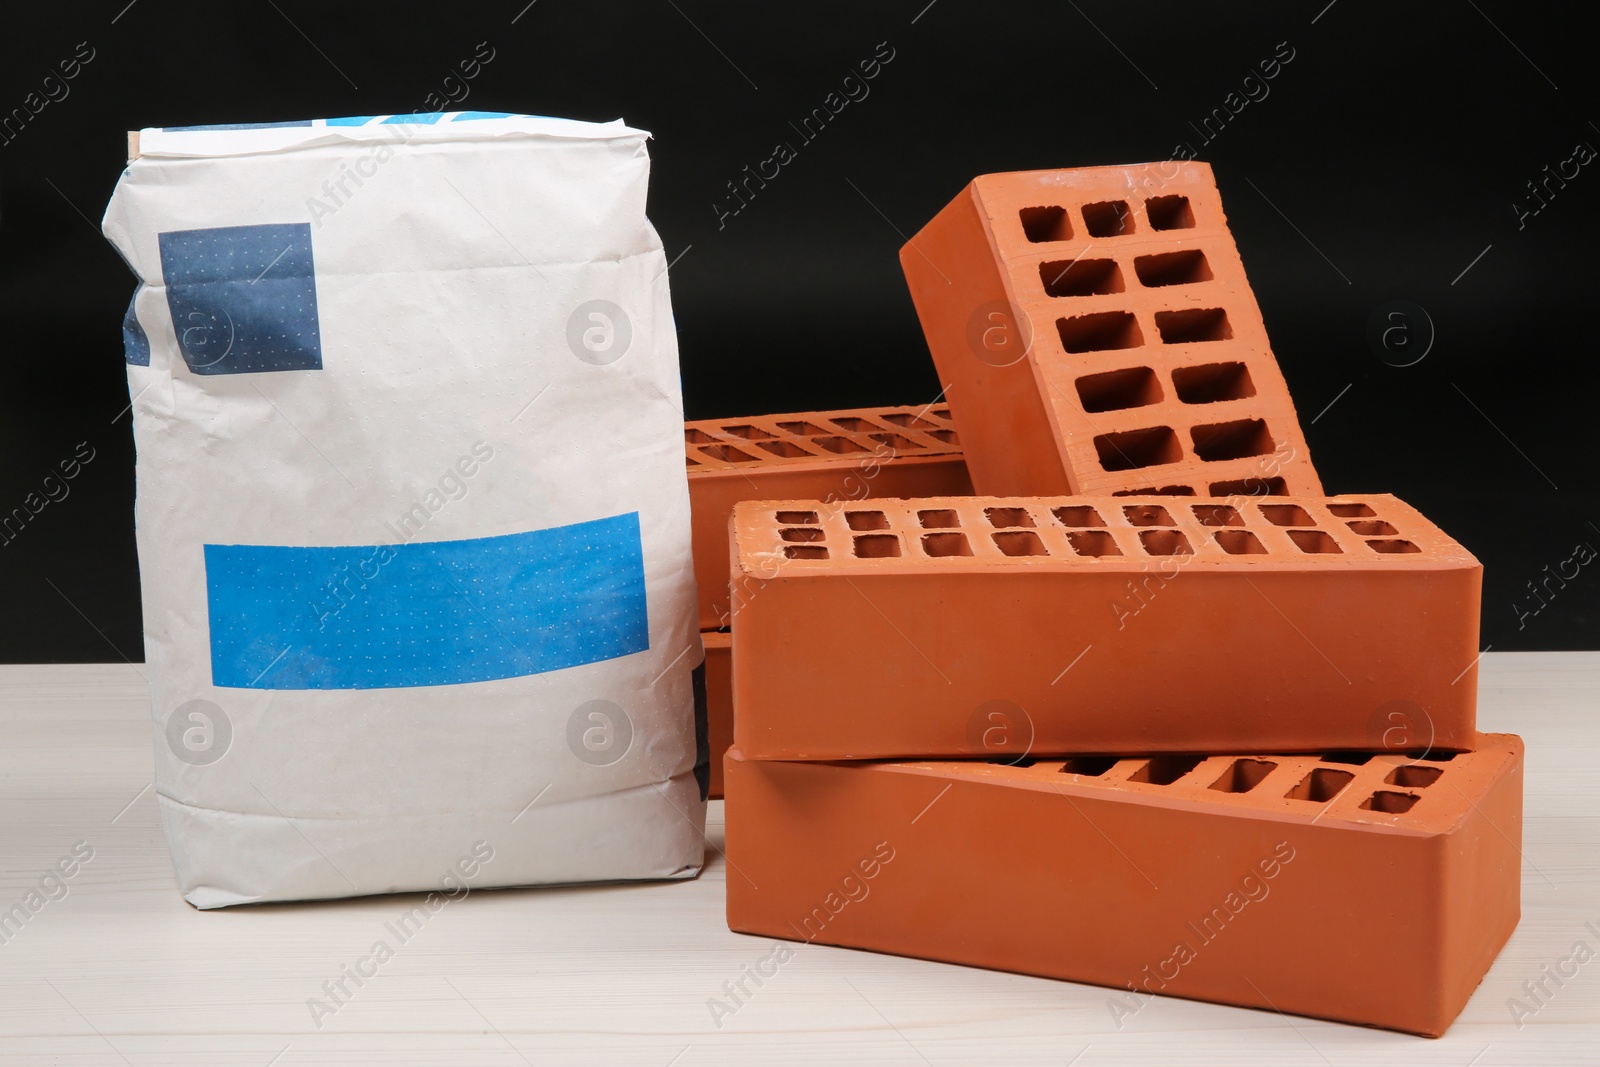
(983, 626)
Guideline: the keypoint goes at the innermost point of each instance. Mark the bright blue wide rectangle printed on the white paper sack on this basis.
(426, 613)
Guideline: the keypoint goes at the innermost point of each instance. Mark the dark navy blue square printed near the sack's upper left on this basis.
(244, 298)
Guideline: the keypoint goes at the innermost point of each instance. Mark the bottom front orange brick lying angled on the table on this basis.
(1364, 889)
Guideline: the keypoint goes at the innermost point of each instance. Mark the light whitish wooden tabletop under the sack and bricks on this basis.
(122, 972)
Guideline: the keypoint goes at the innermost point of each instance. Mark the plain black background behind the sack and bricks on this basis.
(1390, 154)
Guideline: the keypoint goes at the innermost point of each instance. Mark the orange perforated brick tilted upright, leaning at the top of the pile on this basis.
(1097, 335)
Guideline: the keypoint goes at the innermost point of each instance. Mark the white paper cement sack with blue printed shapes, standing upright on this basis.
(412, 510)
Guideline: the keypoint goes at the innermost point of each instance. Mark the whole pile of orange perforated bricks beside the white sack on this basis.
(1150, 709)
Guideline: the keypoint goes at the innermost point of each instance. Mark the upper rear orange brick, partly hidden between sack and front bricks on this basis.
(817, 455)
